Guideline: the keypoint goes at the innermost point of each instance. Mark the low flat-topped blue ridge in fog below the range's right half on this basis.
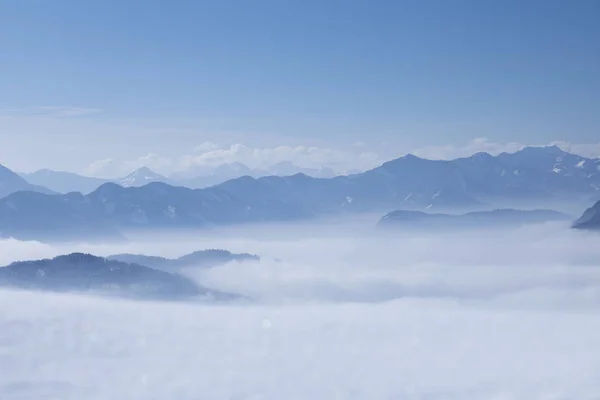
(477, 219)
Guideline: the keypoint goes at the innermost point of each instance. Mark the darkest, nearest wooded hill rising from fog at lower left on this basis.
(79, 272)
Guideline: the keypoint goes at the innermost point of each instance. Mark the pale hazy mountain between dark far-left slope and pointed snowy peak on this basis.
(64, 182)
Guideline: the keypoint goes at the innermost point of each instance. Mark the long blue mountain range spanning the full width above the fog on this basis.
(532, 176)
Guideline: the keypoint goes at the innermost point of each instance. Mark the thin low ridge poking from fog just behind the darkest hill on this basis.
(197, 259)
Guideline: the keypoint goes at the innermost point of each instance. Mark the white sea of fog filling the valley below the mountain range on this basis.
(337, 311)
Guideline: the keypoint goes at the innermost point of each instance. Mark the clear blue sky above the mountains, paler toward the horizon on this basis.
(117, 81)
